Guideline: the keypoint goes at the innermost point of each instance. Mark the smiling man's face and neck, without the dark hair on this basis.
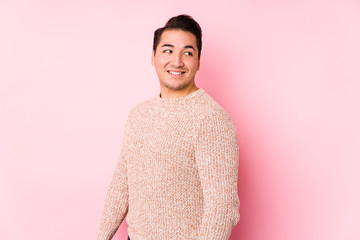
(176, 60)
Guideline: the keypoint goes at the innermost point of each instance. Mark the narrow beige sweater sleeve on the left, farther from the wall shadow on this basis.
(116, 201)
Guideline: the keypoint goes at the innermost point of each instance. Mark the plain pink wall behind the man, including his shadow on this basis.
(286, 71)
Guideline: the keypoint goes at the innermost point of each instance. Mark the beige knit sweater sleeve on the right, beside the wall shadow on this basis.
(216, 153)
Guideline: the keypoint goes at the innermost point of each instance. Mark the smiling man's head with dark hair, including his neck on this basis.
(176, 56)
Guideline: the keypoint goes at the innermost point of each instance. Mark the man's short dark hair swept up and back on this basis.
(182, 22)
